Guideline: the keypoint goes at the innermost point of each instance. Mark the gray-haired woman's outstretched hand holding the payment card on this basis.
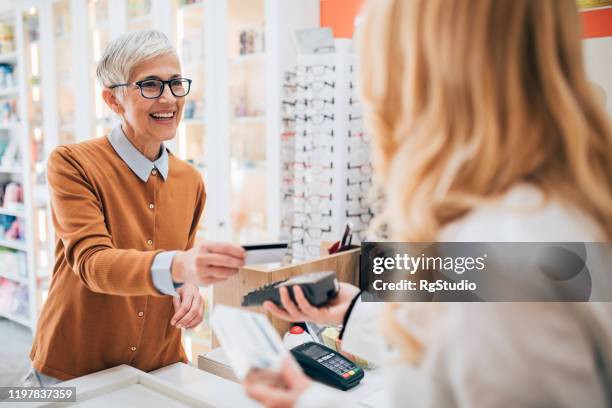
(207, 263)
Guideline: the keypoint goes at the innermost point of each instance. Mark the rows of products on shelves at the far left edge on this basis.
(15, 254)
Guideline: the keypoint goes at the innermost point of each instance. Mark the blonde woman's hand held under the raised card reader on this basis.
(331, 313)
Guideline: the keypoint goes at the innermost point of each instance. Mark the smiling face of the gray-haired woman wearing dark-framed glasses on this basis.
(154, 120)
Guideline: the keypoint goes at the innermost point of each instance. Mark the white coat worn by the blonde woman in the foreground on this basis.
(495, 354)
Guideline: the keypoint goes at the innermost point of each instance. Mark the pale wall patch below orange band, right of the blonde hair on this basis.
(598, 61)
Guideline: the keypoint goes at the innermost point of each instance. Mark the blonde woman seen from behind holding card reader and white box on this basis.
(486, 129)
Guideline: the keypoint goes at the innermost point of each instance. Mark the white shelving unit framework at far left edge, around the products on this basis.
(18, 283)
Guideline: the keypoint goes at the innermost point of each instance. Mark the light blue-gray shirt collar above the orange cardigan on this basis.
(136, 161)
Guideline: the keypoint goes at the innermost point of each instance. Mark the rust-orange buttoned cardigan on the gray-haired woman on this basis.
(102, 309)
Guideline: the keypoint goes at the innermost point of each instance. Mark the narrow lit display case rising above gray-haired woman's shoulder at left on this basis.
(64, 70)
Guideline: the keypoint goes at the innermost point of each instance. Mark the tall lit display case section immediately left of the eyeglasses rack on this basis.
(247, 111)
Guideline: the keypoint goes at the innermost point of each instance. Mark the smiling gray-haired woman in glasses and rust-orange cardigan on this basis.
(126, 211)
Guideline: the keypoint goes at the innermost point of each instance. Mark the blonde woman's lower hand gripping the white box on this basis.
(277, 390)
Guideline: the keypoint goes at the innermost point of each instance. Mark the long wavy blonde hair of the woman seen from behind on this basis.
(465, 99)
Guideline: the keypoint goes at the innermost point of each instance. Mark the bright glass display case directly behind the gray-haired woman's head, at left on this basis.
(102, 118)
